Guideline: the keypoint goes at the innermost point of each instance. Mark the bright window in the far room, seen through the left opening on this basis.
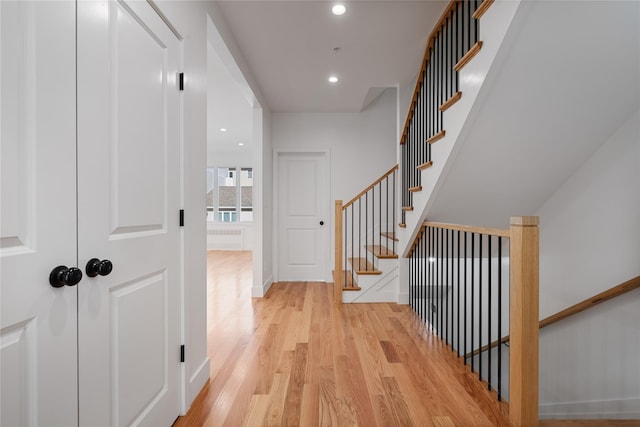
(230, 194)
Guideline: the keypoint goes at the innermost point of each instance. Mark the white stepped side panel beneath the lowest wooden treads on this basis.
(376, 287)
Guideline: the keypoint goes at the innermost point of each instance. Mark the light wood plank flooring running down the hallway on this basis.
(294, 358)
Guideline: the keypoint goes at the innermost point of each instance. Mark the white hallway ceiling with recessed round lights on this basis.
(290, 47)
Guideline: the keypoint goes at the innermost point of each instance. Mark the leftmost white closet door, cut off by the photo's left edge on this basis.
(38, 353)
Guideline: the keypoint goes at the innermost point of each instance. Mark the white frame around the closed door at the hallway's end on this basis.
(326, 153)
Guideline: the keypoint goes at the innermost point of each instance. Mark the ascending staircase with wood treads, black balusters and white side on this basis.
(459, 54)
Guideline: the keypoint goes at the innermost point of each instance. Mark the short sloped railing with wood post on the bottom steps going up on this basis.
(364, 226)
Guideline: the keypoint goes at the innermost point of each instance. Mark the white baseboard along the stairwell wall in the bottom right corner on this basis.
(628, 408)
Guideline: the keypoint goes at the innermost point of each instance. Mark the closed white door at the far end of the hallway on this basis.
(303, 207)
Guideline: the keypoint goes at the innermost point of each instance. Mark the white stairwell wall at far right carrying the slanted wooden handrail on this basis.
(589, 242)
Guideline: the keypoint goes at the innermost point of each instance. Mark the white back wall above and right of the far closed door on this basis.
(362, 145)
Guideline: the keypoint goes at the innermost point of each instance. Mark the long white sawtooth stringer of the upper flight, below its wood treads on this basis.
(494, 25)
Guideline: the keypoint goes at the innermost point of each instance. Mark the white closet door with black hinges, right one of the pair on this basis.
(128, 210)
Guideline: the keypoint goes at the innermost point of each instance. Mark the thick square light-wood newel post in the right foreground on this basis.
(524, 317)
